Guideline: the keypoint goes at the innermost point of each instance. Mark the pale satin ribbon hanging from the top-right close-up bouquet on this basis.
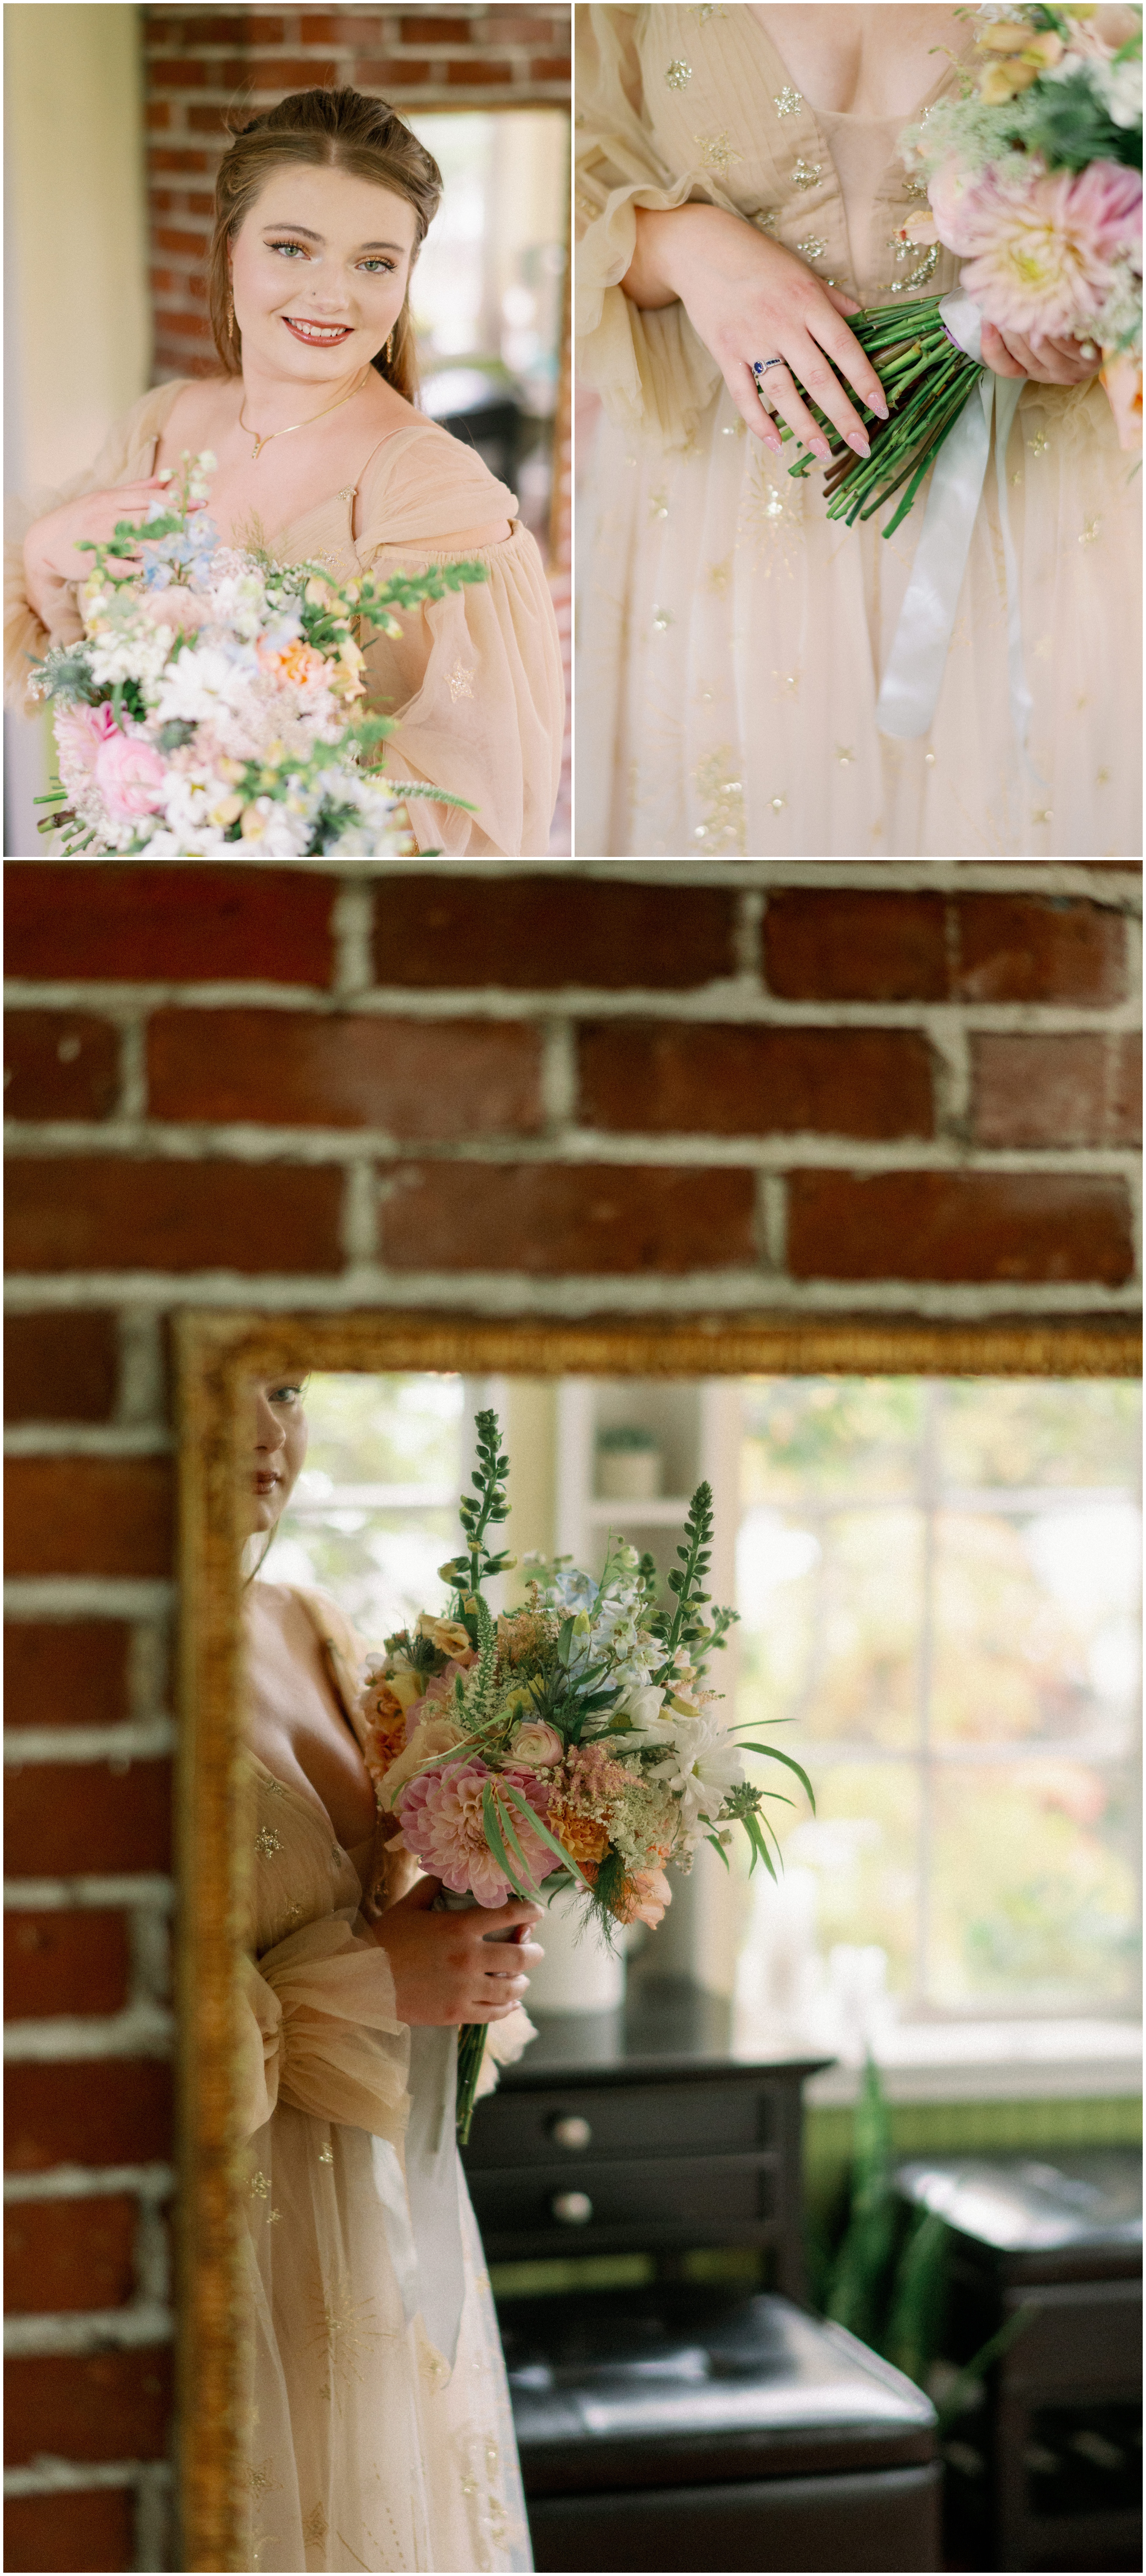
(918, 656)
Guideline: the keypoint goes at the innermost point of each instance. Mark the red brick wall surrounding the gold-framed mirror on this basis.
(511, 1088)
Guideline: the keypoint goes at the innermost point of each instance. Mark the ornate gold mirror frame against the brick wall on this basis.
(218, 1359)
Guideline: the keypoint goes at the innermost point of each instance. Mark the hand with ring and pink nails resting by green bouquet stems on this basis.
(751, 300)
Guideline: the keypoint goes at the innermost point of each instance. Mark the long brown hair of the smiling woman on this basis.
(331, 130)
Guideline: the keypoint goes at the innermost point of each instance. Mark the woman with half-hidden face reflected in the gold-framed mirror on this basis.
(375, 2374)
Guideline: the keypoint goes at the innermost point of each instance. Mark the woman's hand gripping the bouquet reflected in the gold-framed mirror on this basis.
(457, 1967)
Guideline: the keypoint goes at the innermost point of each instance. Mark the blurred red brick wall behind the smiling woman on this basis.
(200, 63)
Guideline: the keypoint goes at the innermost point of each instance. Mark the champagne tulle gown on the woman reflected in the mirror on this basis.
(367, 2448)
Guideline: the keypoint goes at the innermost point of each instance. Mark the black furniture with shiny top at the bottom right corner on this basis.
(1044, 2464)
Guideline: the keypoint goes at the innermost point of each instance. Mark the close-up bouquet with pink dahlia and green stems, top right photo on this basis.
(1034, 179)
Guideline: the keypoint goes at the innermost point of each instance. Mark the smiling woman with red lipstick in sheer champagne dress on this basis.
(321, 455)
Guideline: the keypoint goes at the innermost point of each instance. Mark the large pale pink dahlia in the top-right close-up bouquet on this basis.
(1044, 254)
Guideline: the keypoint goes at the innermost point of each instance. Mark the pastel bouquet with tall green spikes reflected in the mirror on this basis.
(565, 1745)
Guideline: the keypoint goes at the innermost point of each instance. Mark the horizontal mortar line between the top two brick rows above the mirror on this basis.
(728, 1001)
